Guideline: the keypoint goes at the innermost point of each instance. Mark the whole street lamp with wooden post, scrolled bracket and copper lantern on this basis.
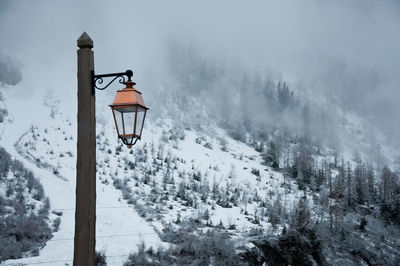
(129, 112)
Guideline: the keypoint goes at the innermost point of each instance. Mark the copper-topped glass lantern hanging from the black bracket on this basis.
(129, 113)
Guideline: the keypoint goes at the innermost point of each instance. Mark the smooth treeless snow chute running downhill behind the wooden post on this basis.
(119, 229)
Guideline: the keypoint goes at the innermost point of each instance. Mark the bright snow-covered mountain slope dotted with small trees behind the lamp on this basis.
(40, 131)
